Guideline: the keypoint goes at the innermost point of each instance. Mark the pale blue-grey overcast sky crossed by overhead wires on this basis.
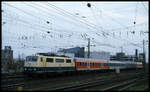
(31, 27)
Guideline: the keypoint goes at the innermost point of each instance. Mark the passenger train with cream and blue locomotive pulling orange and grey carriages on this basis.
(50, 64)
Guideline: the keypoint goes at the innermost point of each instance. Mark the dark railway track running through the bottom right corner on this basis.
(119, 85)
